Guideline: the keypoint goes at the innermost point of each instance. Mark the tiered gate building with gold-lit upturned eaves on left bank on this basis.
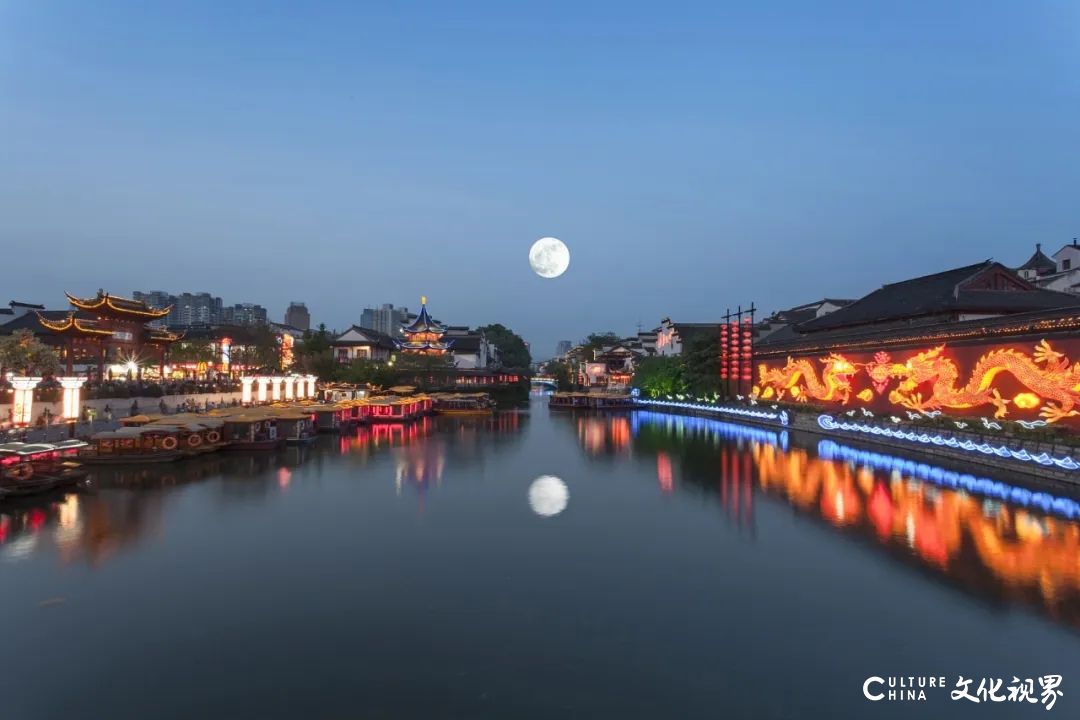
(110, 333)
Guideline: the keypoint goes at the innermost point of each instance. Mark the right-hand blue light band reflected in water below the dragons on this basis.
(949, 479)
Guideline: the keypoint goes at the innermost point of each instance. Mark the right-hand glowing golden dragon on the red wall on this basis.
(1047, 374)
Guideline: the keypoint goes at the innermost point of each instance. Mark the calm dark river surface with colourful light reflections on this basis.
(699, 570)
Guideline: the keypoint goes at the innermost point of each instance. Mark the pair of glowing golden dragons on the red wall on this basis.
(928, 382)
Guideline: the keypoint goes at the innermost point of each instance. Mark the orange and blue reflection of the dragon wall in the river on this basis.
(994, 549)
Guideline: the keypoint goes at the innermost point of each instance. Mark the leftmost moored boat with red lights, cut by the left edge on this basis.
(32, 469)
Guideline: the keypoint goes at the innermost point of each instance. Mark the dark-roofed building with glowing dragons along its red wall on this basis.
(974, 342)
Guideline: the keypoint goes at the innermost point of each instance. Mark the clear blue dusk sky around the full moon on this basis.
(694, 156)
